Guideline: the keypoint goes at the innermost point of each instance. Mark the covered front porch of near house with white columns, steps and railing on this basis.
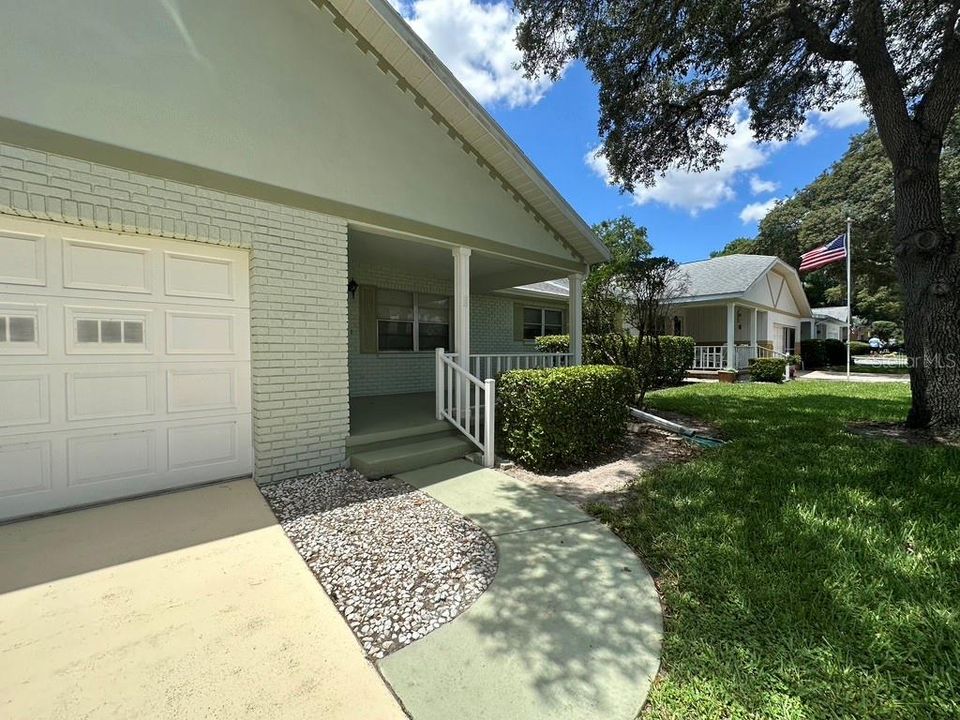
(431, 326)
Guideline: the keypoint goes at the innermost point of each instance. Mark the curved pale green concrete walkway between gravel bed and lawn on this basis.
(570, 627)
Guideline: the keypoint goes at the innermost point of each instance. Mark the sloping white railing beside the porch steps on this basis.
(467, 402)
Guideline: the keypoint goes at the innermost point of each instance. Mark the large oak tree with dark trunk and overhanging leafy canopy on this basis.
(670, 73)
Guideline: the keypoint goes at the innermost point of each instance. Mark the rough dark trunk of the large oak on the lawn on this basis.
(928, 266)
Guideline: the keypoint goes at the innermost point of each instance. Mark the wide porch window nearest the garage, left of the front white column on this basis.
(412, 322)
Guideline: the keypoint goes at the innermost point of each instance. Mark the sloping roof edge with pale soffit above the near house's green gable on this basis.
(390, 36)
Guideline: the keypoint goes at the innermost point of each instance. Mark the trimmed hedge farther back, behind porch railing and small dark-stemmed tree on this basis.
(676, 354)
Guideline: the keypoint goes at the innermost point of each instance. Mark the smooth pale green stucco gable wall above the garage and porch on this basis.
(272, 92)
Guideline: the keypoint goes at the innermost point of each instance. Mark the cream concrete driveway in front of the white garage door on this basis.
(187, 605)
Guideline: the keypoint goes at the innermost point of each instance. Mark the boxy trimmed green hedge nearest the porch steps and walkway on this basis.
(562, 416)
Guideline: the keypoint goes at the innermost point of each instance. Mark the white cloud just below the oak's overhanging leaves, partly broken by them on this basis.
(694, 192)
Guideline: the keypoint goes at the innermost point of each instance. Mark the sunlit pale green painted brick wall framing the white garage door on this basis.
(298, 280)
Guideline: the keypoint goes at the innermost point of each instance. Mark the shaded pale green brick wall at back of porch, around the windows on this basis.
(491, 331)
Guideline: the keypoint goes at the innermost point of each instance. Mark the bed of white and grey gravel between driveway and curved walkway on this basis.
(397, 563)
